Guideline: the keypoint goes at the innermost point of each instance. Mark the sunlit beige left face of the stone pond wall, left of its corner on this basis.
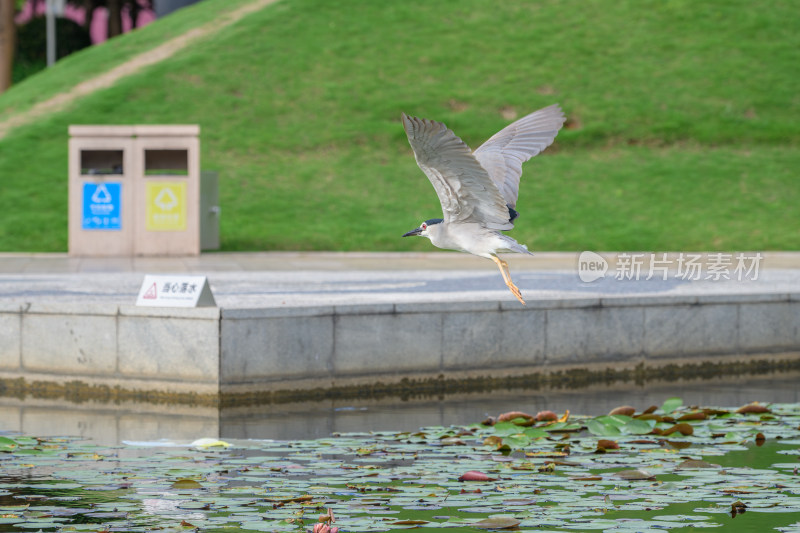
(100, 343)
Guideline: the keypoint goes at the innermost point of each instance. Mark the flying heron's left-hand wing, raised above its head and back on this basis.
(466, 191)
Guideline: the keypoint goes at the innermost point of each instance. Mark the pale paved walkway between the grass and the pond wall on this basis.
(277, 279)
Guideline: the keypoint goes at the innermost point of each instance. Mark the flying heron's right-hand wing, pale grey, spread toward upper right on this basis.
(503, 154)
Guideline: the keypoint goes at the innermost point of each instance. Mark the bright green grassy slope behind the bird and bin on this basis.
(683, 128)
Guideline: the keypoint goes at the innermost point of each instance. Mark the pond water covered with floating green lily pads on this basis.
(670, 467)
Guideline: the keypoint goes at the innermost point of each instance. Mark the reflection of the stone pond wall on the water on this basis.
(112, 424)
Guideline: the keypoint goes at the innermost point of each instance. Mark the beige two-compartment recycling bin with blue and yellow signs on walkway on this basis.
(136, 190)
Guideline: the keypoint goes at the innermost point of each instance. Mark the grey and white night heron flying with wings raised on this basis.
(478, 190)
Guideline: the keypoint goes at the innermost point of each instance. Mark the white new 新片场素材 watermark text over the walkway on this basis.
(637, 266)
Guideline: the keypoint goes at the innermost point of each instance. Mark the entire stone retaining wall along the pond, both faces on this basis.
(214, 351)
